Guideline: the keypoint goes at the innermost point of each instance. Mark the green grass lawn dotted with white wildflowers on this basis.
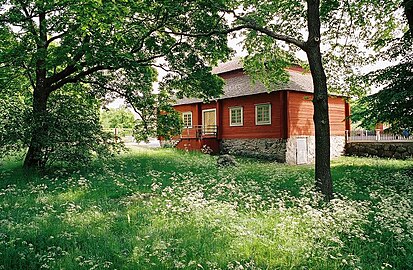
(164, 209)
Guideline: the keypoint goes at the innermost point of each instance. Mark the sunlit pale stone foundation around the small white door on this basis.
(337, 145)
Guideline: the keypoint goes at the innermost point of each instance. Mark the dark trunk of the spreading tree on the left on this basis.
(35, 156)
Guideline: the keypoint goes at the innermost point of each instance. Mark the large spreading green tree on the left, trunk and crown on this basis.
(55, 43)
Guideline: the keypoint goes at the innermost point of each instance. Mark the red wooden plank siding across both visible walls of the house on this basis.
(294, 108)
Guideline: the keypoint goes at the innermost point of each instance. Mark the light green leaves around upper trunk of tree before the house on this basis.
(353, 34)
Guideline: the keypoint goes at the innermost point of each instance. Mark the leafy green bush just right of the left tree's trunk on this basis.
(74, 133)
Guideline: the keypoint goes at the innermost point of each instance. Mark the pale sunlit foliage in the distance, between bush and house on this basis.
(117, 118)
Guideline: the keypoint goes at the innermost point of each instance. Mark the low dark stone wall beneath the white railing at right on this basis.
(399, 150)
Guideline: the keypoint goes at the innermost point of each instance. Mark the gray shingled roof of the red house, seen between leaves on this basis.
(243, 85)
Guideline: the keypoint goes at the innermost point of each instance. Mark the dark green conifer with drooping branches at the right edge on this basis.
(393, 103)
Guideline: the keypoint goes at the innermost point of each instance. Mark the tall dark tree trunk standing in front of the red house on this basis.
(321, 120)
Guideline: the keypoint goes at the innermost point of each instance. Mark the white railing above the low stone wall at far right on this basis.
(360, 135)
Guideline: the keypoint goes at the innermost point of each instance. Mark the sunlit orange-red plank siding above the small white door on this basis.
(300, 114)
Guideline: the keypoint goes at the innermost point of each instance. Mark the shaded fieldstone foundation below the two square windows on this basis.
(269, 149)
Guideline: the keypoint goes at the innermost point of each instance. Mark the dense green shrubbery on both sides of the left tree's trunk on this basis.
(74, 135)
